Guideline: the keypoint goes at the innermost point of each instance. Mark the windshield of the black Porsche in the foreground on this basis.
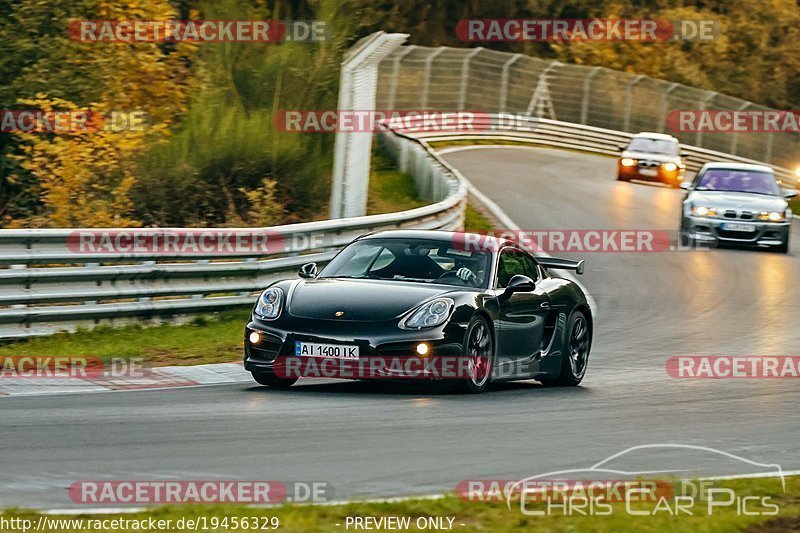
(419, 260)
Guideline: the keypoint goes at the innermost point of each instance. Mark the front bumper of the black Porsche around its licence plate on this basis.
(380, 340)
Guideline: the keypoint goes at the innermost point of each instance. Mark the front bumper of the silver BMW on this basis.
(712, 230)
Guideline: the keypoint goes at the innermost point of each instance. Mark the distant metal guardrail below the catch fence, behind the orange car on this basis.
(546, 132)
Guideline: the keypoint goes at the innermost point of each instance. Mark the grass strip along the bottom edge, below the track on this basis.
(493, 517)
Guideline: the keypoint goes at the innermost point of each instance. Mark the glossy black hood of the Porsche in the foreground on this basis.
(359, 300)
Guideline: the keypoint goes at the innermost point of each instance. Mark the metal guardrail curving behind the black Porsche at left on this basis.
(51, 284)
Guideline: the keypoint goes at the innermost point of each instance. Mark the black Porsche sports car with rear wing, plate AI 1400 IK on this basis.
(467, 307)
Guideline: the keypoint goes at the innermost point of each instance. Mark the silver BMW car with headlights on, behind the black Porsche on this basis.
(736, 204)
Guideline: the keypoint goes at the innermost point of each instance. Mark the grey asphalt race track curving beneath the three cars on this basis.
(380, 440)
